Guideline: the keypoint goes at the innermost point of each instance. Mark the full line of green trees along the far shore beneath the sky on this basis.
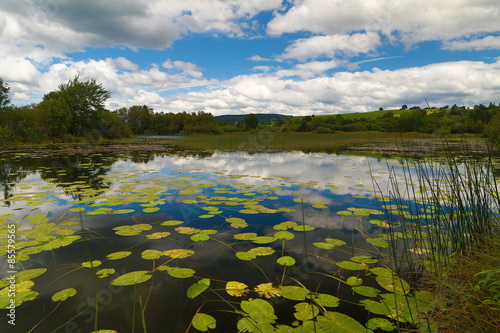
(77, 109)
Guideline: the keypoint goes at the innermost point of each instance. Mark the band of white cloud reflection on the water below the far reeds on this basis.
(342, 171)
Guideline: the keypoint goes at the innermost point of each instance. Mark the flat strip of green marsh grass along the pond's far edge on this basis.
(342, 141)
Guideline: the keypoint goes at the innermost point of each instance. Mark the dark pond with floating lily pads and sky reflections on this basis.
(152, 238)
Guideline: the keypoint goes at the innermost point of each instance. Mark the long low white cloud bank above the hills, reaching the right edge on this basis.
(441, 83)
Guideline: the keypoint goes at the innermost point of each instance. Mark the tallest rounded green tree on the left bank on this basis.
(85, 100)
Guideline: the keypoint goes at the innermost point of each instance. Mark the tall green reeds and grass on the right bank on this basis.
(444, 236)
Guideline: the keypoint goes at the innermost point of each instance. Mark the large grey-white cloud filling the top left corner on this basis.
(72, 25)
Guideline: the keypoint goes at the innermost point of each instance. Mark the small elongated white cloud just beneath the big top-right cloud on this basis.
(329, 46)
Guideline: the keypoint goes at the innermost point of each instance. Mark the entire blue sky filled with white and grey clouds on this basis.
(294, 57)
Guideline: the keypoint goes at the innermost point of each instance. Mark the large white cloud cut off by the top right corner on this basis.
(410, 21)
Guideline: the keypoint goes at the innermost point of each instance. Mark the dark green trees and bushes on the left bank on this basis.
(75, 109)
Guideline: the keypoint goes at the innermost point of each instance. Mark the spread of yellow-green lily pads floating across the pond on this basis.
(219, 212)
